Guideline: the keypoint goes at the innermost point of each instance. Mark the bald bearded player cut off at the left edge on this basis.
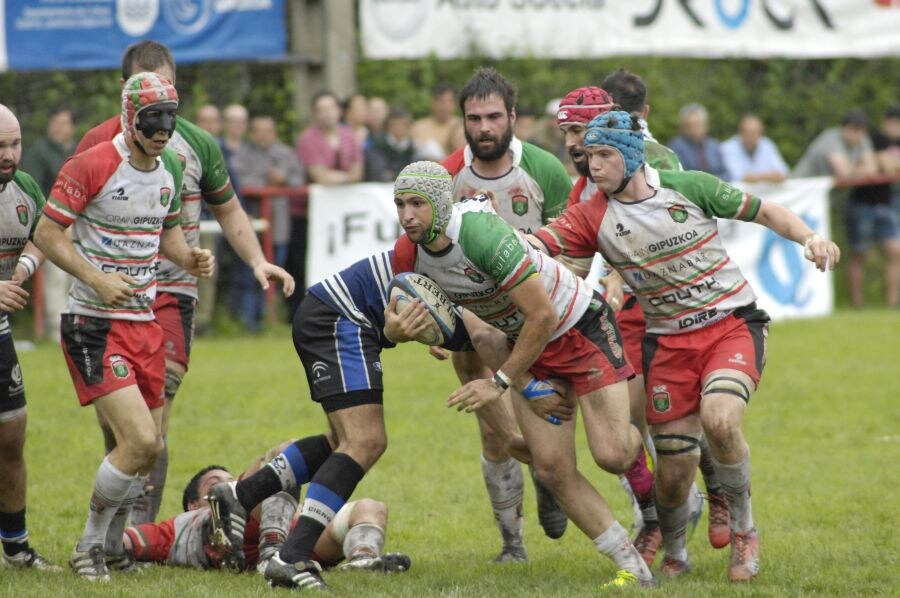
(21, 202)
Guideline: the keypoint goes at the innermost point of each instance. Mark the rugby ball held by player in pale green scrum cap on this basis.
(409, 286)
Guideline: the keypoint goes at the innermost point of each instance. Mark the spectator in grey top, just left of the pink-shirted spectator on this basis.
(265, 161)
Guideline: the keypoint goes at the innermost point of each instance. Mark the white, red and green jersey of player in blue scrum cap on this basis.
(666, 247)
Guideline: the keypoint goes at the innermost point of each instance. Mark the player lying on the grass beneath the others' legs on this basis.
(191, 538)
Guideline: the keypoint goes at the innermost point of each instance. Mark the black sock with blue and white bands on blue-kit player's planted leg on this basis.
(327, 493)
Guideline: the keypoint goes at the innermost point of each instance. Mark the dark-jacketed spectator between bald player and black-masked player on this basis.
(43, 161)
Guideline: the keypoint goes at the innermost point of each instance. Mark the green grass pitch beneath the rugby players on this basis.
(824, 430)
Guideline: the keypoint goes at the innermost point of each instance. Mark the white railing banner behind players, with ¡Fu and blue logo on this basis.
(349, 223)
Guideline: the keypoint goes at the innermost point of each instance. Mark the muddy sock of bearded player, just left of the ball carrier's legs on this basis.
(505, 487)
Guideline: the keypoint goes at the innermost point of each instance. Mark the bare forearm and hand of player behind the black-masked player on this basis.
(240, 235)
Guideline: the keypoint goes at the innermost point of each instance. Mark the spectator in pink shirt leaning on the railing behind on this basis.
(328, 149)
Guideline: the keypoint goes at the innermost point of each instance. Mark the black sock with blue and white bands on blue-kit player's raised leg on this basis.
(296, 465)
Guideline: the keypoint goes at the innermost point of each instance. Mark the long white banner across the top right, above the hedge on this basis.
(602, 28)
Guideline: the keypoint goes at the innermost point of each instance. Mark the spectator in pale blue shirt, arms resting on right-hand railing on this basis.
(751, 157)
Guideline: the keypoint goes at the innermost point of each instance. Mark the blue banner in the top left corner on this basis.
(87, 34)
